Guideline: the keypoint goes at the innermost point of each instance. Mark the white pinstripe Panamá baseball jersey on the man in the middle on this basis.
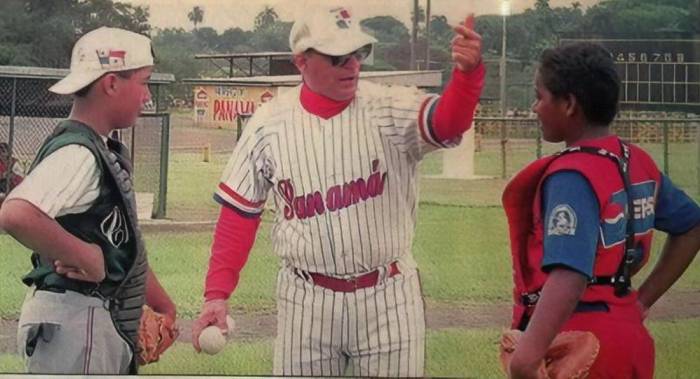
(345, 188)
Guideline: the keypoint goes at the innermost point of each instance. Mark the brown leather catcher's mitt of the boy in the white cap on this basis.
(156, 334)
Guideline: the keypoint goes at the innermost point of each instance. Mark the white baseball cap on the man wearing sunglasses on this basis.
(331, 31)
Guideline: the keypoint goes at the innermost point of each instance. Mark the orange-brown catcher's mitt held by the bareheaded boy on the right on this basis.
(570, 355)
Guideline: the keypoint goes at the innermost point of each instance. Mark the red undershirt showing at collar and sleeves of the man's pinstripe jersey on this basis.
(235, 234)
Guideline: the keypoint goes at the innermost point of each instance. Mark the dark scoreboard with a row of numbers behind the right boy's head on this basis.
(656, 74)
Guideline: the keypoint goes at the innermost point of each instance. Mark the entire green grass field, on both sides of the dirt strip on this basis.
(461, 247)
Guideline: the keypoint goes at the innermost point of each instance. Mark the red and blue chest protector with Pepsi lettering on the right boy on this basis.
(527, 224)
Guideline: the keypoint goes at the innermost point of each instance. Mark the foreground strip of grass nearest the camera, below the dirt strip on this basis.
(463, 353)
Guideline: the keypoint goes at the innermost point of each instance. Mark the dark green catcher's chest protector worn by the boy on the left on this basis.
(111, 223)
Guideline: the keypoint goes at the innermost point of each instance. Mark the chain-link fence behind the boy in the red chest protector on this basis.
(505, 145)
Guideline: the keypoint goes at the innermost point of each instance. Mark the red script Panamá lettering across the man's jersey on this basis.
(337, 197)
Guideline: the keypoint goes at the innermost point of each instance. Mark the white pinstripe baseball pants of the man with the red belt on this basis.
(374, 331)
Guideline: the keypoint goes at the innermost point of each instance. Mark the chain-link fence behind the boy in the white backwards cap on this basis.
(29, 113)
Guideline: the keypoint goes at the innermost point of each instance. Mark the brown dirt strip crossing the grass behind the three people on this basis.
(677, 305)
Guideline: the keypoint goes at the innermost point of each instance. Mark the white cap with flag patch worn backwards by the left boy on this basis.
(101, 51)
